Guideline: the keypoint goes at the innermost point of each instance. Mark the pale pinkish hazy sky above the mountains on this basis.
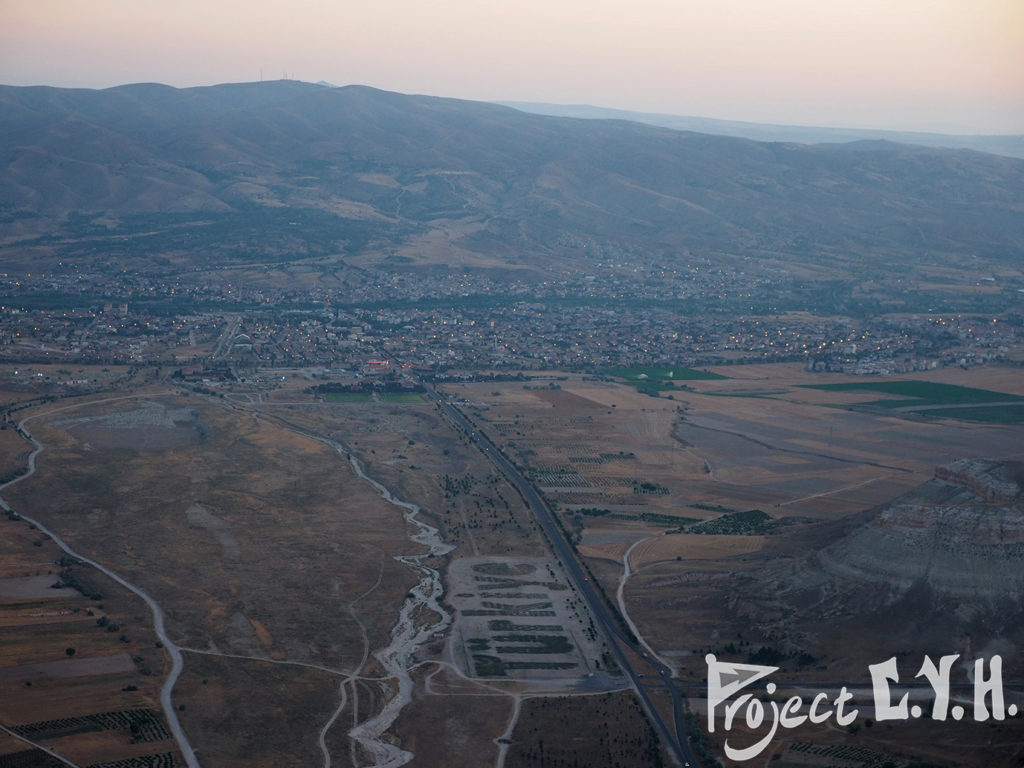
(954, 66)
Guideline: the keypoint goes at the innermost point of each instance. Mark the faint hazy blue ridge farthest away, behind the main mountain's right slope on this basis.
(1011, 146)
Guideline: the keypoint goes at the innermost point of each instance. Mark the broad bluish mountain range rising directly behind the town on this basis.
(286, 168)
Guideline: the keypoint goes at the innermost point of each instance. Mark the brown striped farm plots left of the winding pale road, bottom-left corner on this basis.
(80, 672)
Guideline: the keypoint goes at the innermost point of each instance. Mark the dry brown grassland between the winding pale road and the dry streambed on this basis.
(293, 517)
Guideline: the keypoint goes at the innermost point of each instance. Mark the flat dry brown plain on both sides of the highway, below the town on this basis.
(242, 514)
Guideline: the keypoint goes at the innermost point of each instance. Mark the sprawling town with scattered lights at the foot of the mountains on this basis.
(468, 322)
